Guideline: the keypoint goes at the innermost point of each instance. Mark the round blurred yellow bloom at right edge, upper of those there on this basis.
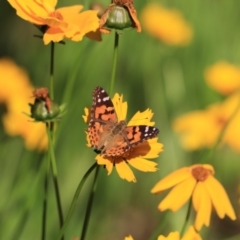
(223, 77)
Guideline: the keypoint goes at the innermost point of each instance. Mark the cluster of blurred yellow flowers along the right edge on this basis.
(194, 127)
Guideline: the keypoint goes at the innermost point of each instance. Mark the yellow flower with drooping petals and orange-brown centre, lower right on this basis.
(197, 182)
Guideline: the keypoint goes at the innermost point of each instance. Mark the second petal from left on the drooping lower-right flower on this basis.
(178, 196)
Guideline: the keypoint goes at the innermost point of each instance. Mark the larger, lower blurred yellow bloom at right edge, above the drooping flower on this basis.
(201, 129)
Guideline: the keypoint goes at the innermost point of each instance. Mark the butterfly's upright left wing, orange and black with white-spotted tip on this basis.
(102, 117)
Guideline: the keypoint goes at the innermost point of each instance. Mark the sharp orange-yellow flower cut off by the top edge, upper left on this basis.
(65, 22)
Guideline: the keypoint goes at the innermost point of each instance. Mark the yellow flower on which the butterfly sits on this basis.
(136, 157)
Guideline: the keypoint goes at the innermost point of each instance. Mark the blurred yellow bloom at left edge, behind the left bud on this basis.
(16, 92)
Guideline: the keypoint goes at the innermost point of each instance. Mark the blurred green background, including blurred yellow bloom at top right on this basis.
(164, 73)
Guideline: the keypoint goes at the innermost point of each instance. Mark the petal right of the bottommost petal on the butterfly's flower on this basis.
(143, 165)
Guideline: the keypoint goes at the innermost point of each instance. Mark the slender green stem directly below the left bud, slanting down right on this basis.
(55, 178)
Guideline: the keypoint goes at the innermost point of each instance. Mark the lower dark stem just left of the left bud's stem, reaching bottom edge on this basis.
(44, 216)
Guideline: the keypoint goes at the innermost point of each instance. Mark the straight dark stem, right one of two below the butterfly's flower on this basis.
(89, 206)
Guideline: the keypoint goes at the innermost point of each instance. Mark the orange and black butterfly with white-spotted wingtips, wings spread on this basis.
(107, 135)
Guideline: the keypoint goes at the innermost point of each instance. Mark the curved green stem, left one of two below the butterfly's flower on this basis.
(74, 201)
